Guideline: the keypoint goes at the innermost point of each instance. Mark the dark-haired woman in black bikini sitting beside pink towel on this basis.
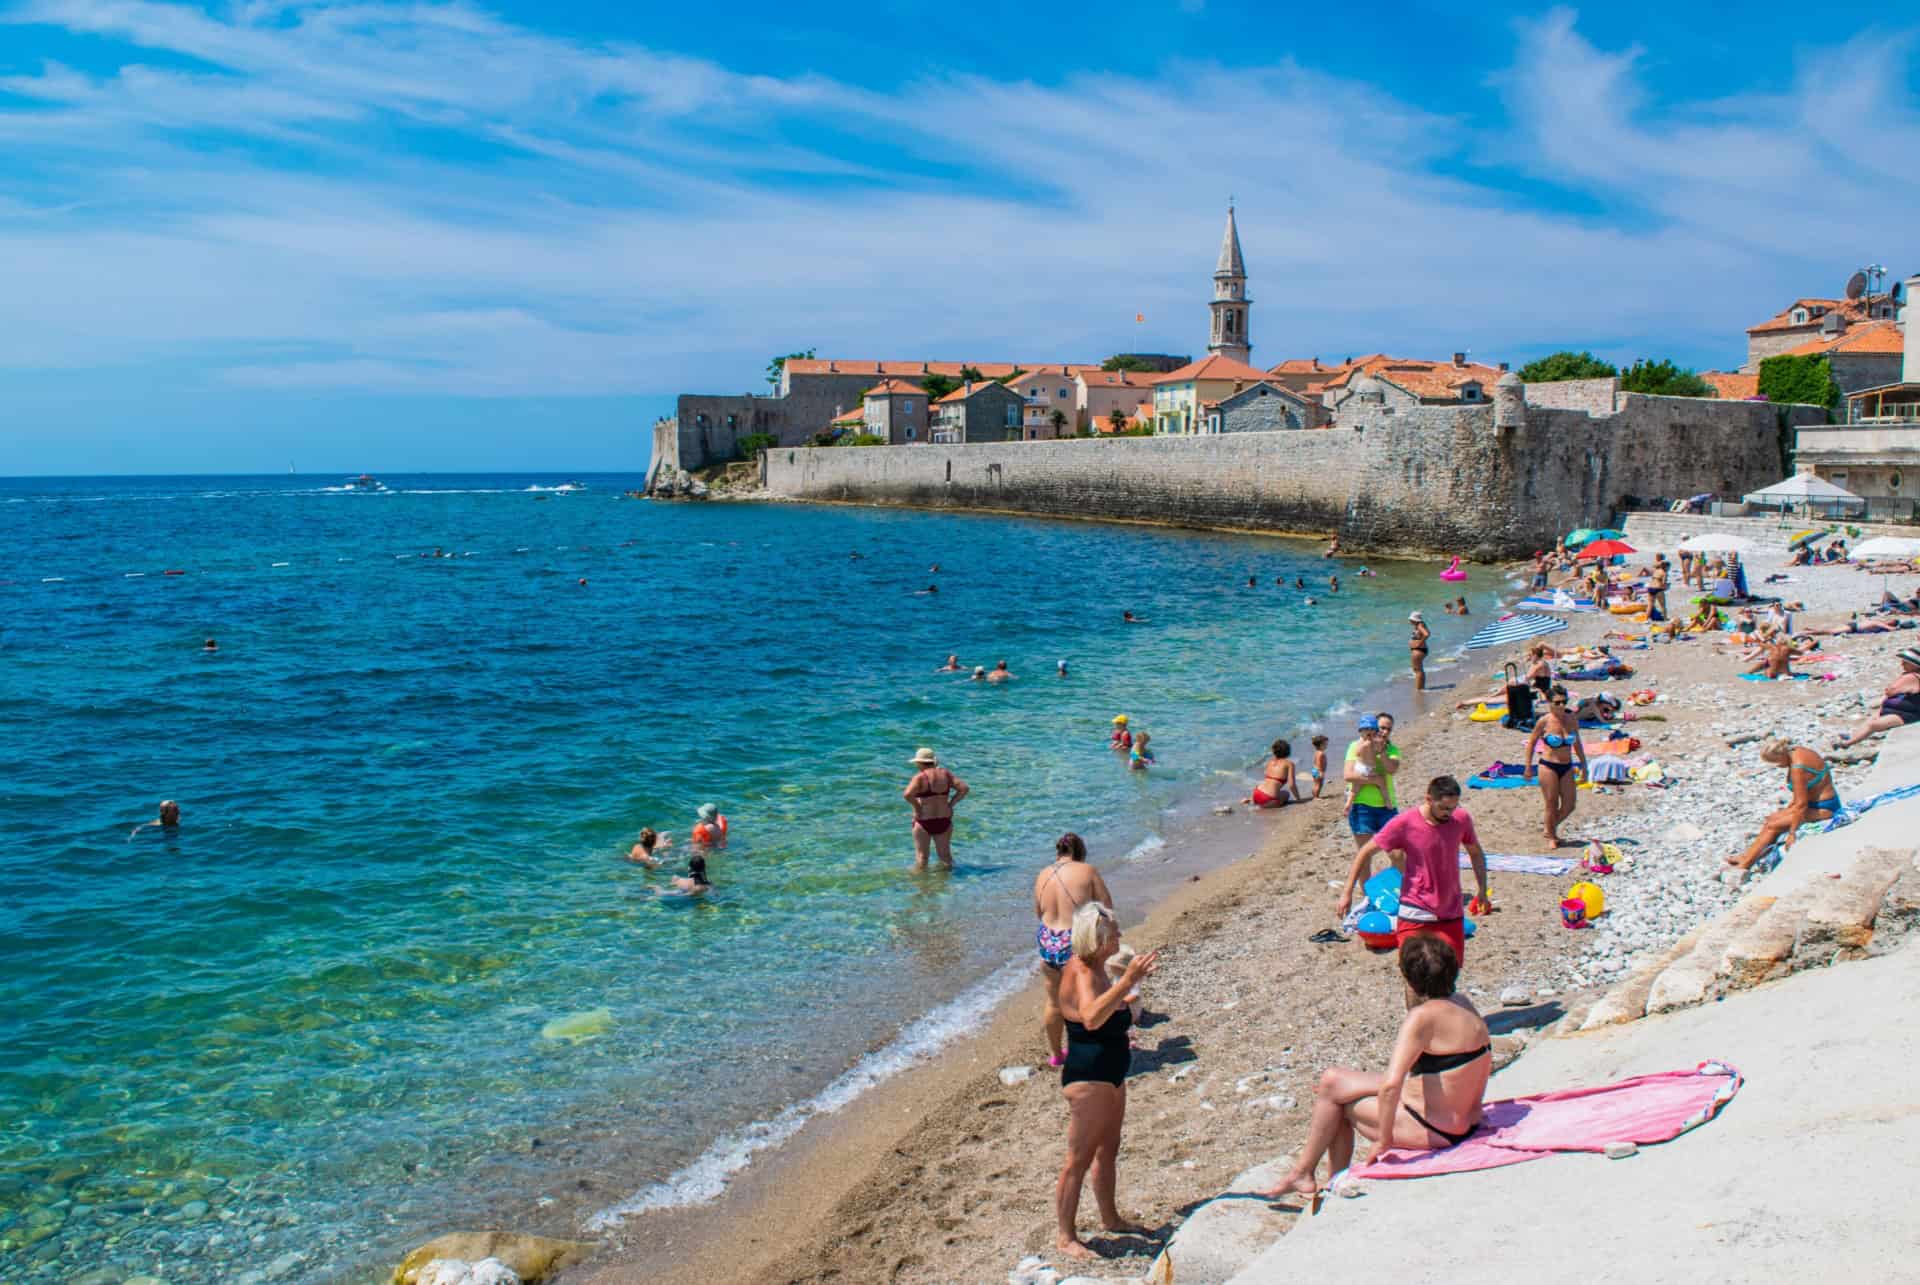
(1431, 1092)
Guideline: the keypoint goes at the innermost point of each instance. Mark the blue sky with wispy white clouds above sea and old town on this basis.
(502, 237)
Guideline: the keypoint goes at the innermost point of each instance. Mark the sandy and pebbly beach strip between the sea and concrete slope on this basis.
(946, 1175)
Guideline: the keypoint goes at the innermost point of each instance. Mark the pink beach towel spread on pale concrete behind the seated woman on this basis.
(1646, 1109)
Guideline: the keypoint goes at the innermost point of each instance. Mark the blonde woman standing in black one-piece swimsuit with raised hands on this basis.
(1095, 1075)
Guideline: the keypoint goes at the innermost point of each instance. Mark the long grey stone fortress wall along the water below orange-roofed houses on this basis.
(1485, 481)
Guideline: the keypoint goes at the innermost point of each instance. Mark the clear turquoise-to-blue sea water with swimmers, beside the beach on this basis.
(306, 1030)
